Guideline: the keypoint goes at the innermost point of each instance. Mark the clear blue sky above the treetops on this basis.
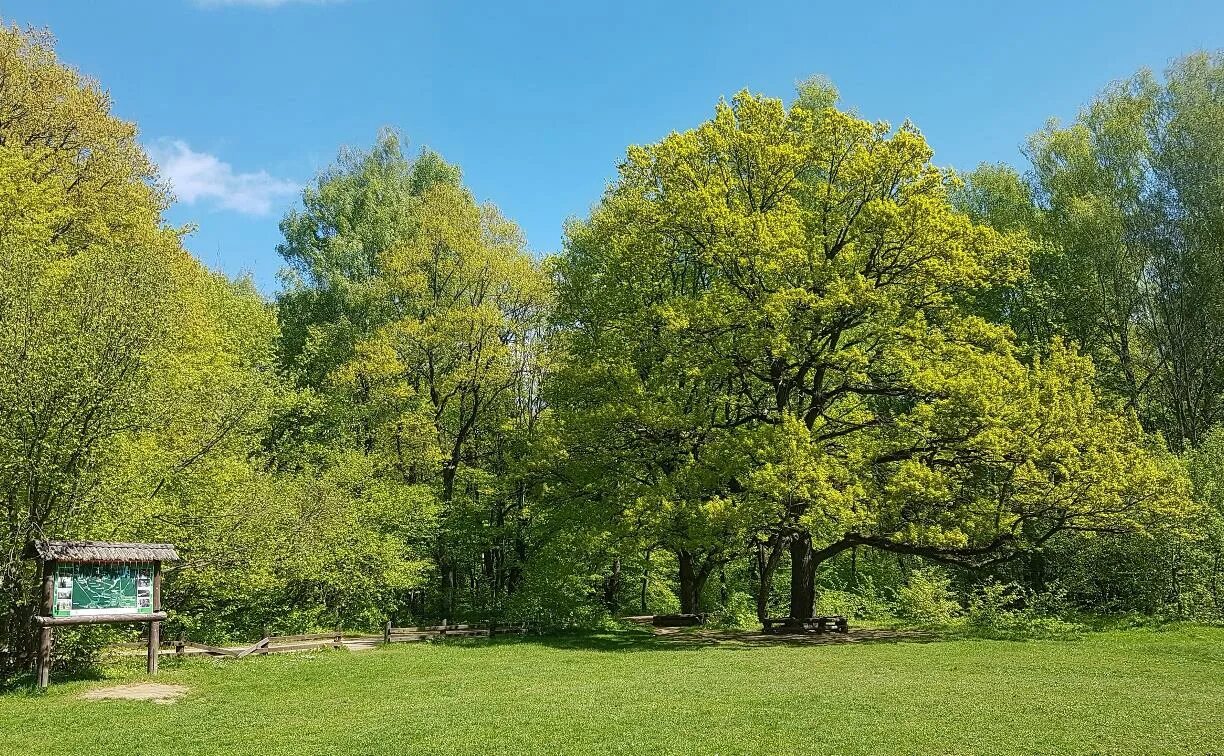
(245, 101)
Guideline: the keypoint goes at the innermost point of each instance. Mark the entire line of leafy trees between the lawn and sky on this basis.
(786, 365)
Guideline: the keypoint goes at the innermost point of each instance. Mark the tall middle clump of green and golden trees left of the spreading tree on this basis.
(414, 315)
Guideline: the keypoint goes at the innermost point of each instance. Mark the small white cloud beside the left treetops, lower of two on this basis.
(199, 177)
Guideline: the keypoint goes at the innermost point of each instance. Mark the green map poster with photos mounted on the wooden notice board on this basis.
(103, 589)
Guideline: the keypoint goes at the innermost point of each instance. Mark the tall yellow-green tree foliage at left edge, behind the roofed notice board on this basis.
(105, 321)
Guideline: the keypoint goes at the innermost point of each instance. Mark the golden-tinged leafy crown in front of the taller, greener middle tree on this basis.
(463, 302)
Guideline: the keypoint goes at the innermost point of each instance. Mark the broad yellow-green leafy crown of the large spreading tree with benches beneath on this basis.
(774, 309)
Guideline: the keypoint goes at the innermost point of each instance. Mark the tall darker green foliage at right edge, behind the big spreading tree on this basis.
(1124, 207)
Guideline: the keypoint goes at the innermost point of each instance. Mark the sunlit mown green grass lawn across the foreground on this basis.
(1135, 692)
